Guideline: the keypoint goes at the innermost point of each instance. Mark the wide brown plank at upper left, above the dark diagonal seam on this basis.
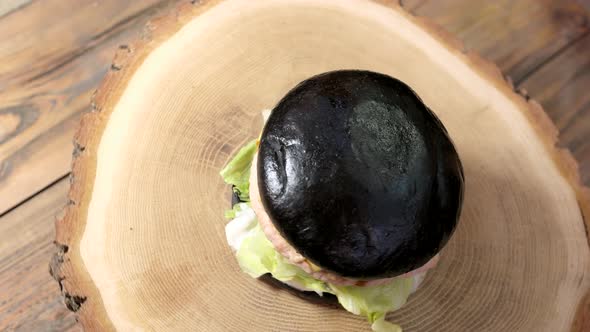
(47, 82)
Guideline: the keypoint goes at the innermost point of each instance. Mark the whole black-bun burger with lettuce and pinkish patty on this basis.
(352, 189)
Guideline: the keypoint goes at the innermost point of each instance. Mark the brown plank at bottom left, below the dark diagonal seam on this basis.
(29, 298)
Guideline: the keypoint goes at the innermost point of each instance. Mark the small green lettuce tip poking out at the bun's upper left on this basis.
(237, 171)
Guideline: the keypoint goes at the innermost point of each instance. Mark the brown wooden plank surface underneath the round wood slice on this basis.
(53, 54)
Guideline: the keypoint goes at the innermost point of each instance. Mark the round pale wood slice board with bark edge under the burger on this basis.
(142, 247)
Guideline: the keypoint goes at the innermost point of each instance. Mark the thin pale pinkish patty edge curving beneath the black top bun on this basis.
(295, 258)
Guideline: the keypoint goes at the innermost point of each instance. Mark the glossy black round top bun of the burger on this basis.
(359, 175)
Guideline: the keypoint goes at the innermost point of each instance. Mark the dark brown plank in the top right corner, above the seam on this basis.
(519, 36)
